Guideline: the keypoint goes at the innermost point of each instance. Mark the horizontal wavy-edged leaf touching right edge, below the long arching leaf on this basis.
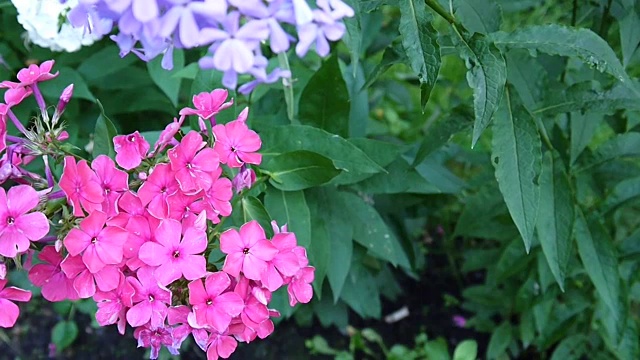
(582, 97)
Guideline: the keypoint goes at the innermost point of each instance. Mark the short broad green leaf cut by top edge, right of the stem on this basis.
(479, 16)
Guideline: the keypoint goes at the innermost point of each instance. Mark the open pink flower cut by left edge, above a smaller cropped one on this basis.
(17, 225)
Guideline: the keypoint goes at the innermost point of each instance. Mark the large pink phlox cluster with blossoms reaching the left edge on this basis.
(139, 230)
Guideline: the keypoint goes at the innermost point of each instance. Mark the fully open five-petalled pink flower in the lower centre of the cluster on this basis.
(173, 256)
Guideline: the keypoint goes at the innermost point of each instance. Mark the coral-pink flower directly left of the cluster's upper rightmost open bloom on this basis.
(193, 164)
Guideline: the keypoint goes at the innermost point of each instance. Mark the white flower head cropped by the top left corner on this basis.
(42, 18)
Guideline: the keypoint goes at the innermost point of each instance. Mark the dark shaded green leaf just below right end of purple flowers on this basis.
(324, 102)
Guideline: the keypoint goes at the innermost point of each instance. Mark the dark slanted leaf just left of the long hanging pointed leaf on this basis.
(439, 133)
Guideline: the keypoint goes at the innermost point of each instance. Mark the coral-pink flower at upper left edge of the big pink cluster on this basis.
(81, 185)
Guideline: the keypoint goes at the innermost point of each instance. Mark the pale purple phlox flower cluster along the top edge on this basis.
(233, 30)
